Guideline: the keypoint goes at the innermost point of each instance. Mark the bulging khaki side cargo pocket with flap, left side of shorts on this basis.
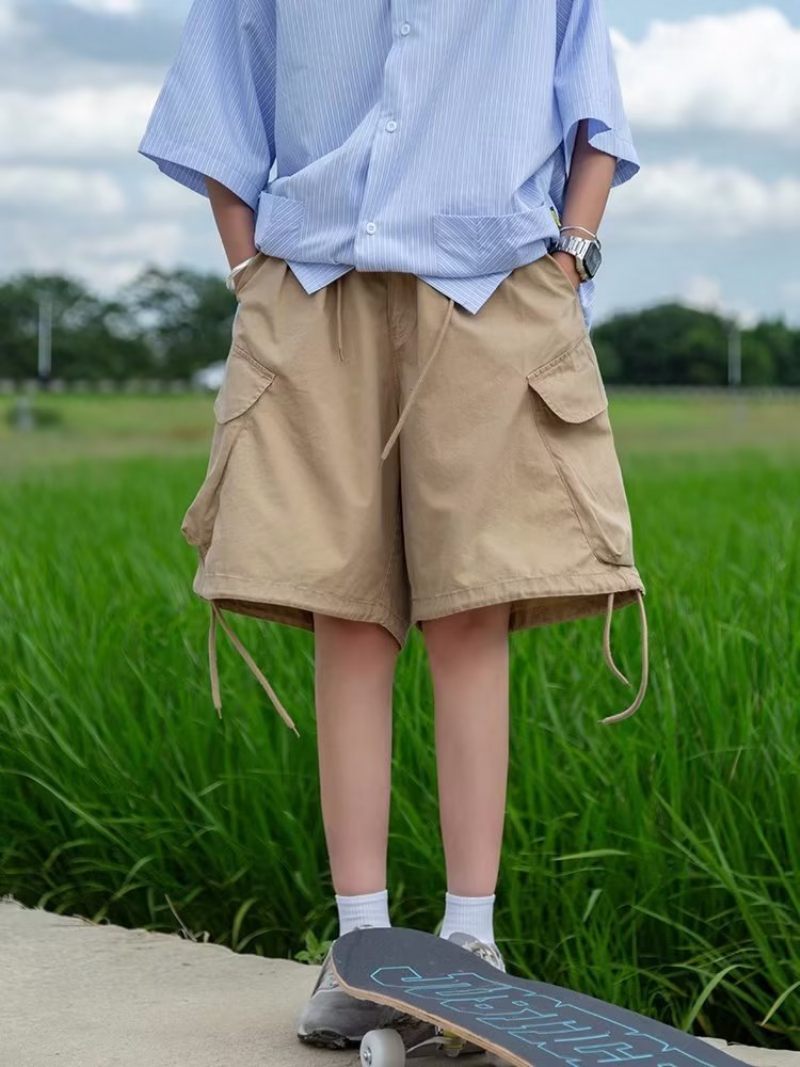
(245, 383)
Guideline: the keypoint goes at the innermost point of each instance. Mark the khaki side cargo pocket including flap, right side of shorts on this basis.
(571, 409)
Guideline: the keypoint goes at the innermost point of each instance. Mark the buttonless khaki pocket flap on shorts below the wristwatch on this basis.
(571, 384)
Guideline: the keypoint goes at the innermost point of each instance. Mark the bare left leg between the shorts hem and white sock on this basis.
(355, 670)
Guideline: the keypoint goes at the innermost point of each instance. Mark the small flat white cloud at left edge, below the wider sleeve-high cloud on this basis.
(61, 189)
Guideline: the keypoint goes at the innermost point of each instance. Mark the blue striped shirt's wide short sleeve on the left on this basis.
(215, 115)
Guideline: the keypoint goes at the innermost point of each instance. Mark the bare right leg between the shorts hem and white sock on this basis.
(469, 654)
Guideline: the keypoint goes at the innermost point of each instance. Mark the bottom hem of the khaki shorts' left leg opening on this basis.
(282, 602)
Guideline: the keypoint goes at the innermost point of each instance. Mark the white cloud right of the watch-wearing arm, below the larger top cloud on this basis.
(679, 200)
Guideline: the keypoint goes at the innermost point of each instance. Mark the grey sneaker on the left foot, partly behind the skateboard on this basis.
(334, 1020)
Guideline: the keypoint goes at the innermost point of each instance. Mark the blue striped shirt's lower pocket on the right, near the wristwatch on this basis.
(474, 245)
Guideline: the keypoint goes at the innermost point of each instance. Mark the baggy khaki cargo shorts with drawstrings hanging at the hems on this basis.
(382, 454)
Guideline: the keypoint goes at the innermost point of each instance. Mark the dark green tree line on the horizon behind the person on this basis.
(171, 324)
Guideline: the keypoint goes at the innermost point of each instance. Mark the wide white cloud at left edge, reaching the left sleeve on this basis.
(82, 123)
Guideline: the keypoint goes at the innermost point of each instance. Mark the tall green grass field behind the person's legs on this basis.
(655, 863)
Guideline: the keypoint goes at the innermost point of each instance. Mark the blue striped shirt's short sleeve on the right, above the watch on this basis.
(588, 87)
